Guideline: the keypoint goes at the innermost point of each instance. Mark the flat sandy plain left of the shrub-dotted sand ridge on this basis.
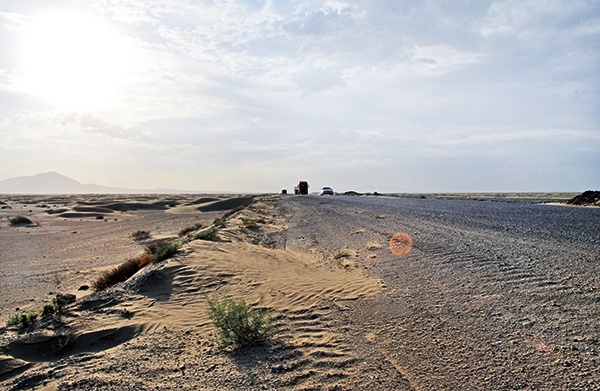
(75, 237)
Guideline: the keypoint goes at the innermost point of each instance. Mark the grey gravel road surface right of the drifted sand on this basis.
(493, 296)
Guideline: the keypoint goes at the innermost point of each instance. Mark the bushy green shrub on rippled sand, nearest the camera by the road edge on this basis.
(239, 324)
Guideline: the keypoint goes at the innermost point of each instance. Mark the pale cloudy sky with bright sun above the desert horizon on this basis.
(253, 95)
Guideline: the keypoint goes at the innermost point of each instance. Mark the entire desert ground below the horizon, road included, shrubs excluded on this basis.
(496, 294)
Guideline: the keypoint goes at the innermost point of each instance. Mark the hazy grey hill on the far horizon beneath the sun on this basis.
(55, 183)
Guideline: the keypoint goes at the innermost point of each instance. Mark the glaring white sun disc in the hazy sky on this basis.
(74, 61)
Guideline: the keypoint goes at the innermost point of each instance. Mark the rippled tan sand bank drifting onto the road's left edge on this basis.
(311, 350)
